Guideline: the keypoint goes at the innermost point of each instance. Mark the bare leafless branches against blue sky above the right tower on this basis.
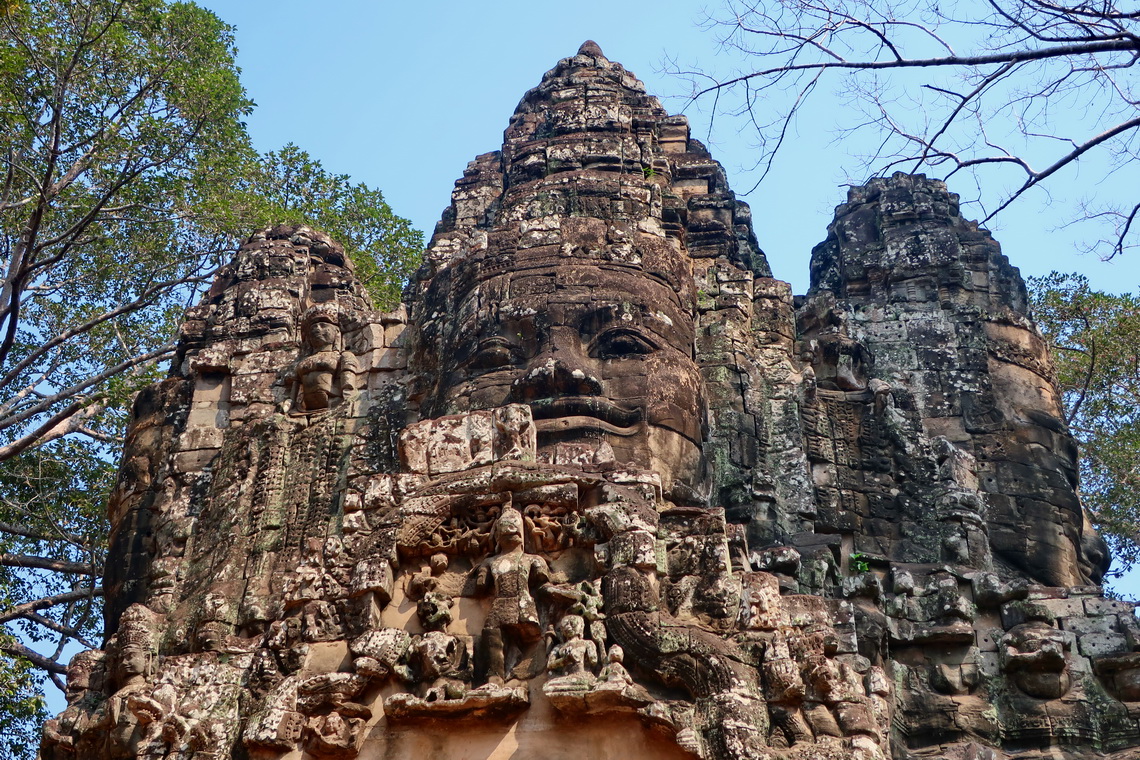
(1012, 93)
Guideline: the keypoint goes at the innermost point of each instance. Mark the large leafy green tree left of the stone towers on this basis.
(127, 178)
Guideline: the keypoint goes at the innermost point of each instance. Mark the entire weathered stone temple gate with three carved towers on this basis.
(604, 488)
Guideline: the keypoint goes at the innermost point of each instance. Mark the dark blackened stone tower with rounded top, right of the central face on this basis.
(908, 295)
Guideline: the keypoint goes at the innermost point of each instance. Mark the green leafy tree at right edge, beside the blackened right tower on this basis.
(1096, 344)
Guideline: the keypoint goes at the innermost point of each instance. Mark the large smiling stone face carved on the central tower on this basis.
(601, 353)
